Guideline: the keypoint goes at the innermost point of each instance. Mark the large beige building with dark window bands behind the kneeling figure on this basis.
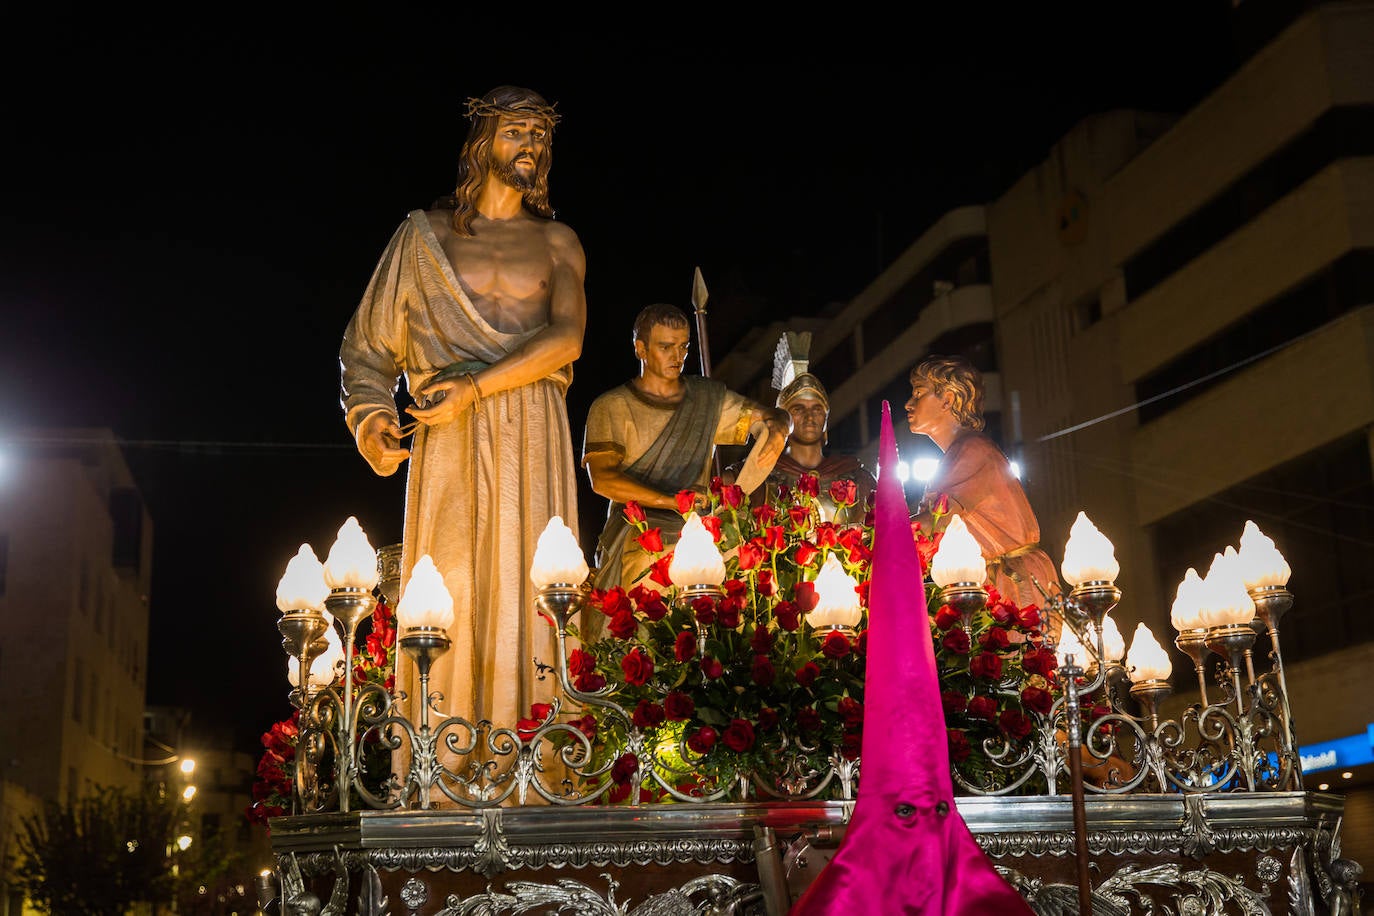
(1175, 315)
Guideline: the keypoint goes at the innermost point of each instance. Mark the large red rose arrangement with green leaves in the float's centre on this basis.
(744, 685)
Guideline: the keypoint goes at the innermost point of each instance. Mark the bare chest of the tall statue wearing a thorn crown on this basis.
(505, 268)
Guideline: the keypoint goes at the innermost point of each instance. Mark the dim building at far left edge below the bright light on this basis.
(75, 576)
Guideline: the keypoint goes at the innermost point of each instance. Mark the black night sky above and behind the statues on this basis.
(192, 214)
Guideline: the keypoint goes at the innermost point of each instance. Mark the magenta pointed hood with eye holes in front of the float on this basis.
(906, 849)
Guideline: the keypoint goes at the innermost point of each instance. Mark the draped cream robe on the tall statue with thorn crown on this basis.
(480, 490)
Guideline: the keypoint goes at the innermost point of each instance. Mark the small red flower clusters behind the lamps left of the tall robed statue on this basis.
(374, 663)
